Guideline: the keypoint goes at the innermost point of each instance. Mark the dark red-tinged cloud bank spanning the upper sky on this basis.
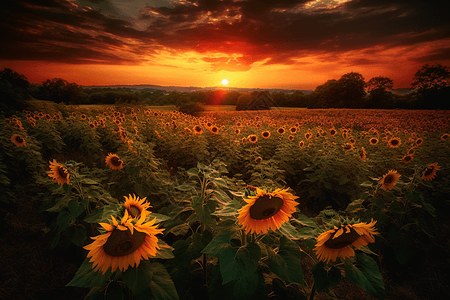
(276, 32)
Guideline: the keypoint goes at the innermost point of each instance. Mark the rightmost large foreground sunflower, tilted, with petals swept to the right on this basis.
(336, 242)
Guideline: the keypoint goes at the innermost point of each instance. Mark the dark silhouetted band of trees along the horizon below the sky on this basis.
(430, 90)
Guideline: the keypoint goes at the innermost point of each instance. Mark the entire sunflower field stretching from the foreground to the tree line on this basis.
(137, 203)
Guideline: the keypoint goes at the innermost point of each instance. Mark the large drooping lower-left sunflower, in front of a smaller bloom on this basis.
(124, 245)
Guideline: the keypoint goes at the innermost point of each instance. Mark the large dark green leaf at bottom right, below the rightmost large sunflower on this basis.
(365, 273)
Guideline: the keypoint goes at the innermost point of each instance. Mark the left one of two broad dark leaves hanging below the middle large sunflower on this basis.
(238, 263)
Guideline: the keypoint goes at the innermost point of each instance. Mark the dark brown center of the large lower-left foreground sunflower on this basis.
(122, 242)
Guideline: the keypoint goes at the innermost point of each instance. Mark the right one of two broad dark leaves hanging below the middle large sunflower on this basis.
(286, 263)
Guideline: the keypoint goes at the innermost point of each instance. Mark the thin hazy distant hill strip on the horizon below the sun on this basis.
(192, 88)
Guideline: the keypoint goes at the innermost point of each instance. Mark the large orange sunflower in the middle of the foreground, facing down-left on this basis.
(266, 211)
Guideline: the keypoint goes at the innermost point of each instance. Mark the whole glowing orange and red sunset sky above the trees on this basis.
(253, 44)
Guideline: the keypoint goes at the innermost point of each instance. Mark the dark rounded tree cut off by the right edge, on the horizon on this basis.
(432, 84)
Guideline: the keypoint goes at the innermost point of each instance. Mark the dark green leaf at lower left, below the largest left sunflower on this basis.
(86, 276)
